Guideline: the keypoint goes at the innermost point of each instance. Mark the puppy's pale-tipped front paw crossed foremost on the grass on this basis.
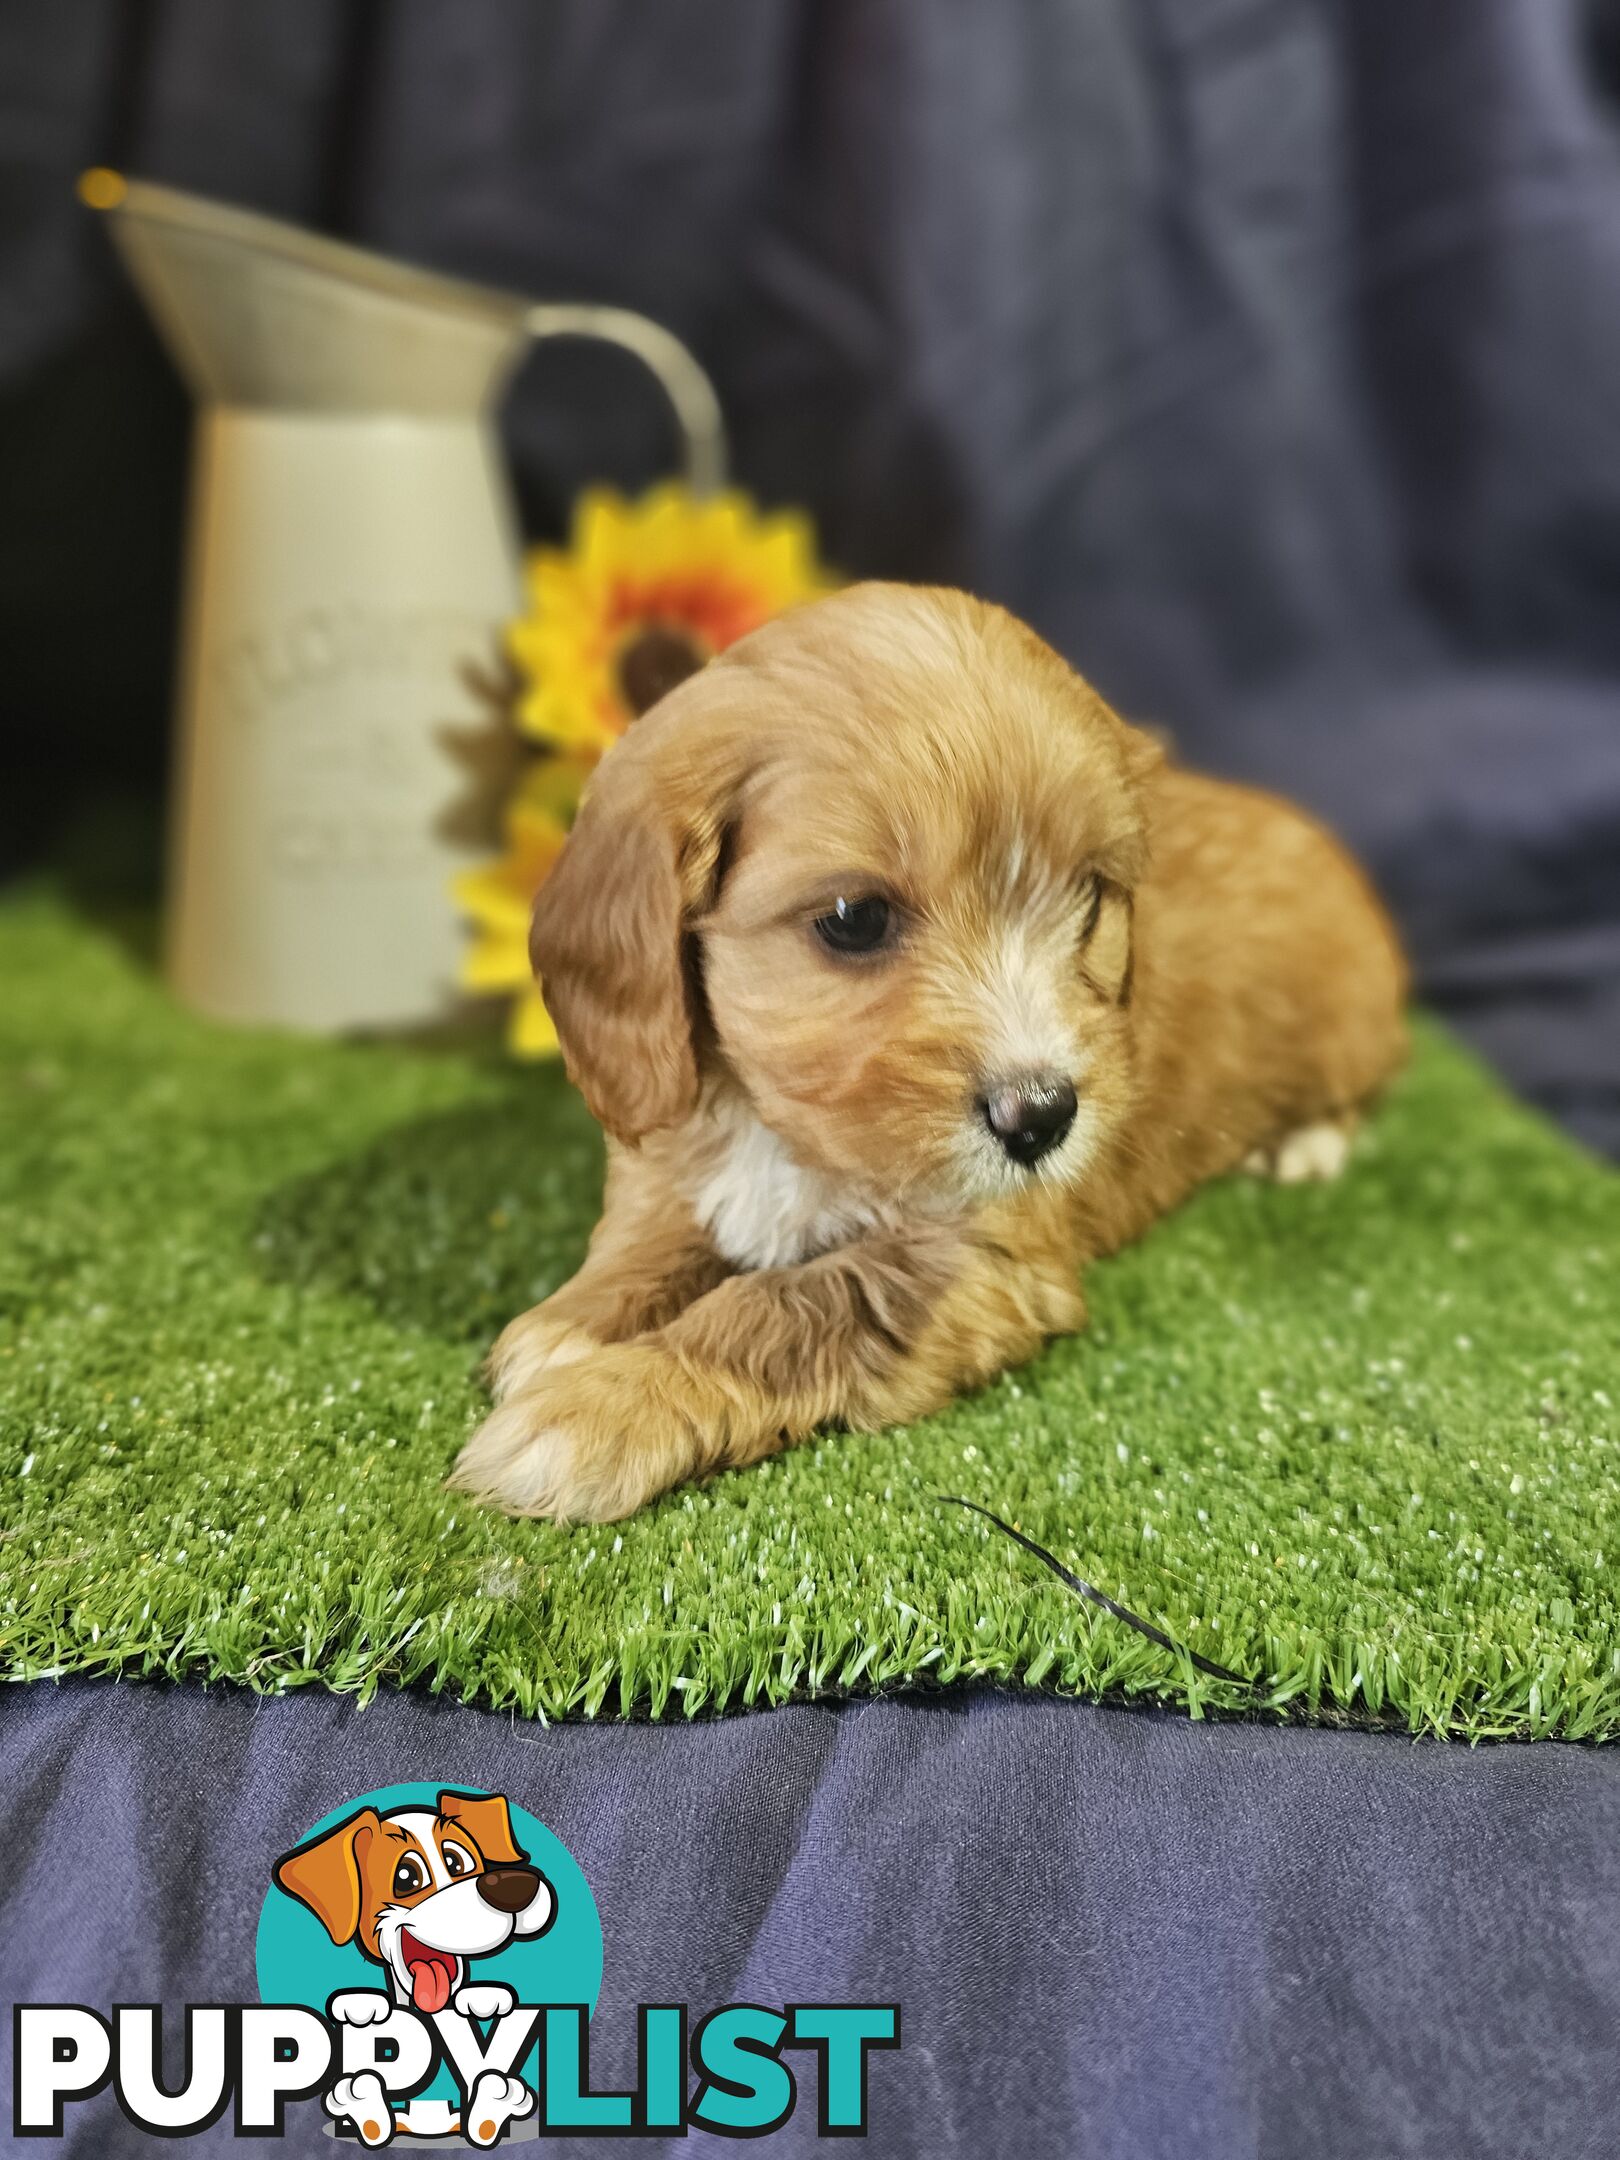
(589, 1442)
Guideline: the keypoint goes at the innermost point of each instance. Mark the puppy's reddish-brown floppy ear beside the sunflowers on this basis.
(610, 923)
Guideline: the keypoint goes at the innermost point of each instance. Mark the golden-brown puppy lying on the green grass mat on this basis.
(906, 980)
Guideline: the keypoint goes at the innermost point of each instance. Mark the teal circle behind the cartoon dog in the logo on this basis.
(299, 1962)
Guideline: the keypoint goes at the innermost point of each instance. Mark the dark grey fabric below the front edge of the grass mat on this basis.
(1113, 1936)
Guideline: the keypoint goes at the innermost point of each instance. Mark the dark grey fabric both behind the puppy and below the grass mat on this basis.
(1265, 353)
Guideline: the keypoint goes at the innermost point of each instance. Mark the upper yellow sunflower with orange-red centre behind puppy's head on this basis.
(643, 597)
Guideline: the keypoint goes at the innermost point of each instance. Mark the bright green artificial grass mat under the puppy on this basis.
(1358, 1442)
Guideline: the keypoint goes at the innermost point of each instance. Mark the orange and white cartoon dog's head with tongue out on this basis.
(422, 1891)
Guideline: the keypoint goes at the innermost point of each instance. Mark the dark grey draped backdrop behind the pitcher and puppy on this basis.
(1265, 355)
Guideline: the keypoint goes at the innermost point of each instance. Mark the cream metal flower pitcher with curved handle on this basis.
(351, 554)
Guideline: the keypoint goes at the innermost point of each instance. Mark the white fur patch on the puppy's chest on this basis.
(764, 1209)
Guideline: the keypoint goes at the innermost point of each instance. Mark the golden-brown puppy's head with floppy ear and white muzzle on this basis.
(874, 867)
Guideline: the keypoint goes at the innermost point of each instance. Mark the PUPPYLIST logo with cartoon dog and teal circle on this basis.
(429, 1967)
